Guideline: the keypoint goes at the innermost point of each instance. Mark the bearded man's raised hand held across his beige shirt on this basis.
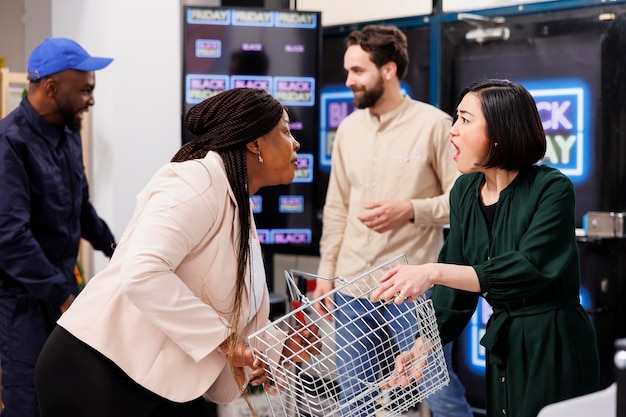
(386, 215)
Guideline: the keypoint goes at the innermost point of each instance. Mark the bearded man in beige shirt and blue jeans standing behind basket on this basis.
(392, 171)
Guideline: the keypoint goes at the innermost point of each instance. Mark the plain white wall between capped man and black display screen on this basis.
(136, 119)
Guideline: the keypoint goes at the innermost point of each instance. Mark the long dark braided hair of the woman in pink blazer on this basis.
(225, 123)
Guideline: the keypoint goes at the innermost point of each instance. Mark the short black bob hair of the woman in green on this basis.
(513, 124)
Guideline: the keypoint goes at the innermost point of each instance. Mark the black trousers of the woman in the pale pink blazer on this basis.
(74, 380)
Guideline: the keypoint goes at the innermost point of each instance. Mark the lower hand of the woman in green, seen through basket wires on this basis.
(409, 365)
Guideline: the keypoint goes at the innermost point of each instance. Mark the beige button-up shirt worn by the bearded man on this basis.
(403, 155)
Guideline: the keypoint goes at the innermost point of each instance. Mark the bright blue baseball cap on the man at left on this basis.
(59, 54)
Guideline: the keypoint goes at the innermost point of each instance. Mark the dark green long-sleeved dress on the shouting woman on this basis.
(541, 345)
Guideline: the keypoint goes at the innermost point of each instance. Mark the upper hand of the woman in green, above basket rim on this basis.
(404, 282)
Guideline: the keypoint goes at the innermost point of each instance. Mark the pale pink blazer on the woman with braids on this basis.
(160, 308)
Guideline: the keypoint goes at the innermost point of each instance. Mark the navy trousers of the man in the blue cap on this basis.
(25, 324)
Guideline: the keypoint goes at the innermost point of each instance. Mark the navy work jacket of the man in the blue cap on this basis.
(44, 207)
